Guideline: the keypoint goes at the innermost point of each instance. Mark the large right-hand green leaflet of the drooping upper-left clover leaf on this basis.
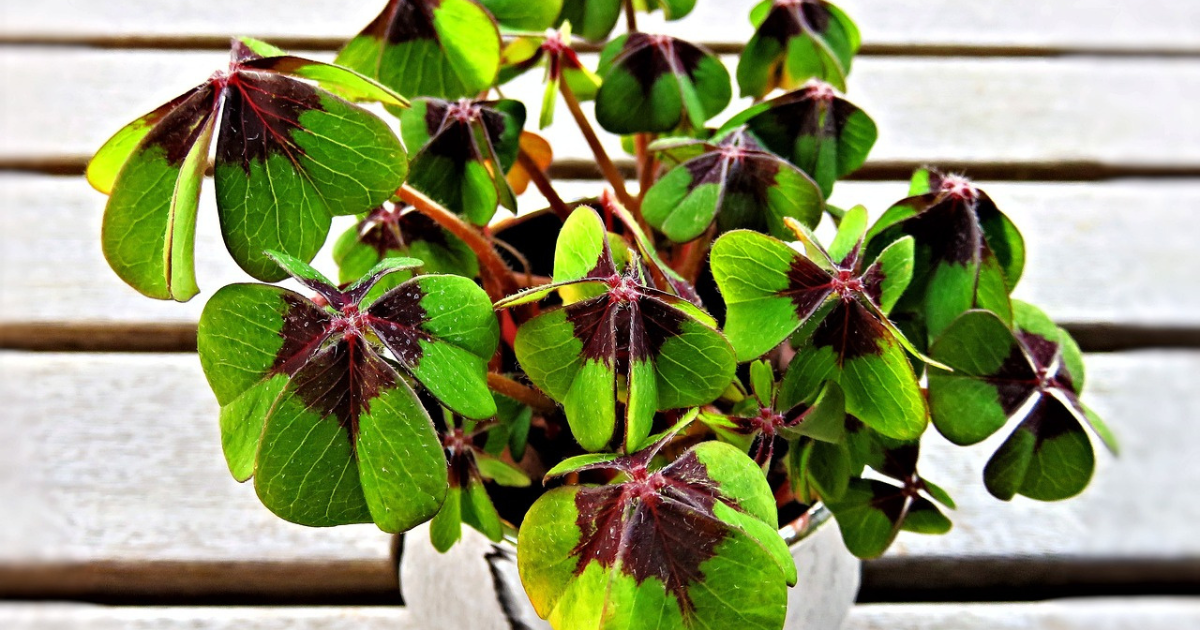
(279, 189)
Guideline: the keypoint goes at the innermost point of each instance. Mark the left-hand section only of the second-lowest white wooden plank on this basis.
(117, 460)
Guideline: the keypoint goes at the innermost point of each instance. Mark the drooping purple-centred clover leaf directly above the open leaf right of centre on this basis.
(737, 184)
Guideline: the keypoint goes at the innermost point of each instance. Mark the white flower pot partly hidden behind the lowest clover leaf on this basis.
(476, 586)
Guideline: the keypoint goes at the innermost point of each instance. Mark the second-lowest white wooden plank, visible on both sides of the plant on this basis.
(116, 458)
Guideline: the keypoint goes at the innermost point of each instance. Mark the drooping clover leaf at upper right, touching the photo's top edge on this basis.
(794, 43)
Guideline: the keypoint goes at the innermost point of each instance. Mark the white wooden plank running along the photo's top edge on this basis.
(1037, 25)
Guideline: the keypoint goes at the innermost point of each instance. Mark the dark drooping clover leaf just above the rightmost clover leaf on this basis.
(969, 255)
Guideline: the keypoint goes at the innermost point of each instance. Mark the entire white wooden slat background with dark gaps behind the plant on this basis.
(1079, 118)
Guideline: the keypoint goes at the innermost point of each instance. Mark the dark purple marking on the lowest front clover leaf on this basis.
(657, 525)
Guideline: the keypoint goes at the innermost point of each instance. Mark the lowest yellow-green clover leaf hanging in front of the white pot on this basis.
(693, 544)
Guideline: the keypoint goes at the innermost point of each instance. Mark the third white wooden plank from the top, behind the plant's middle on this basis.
(1117, 253)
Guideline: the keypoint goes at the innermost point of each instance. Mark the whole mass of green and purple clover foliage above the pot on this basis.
(689, 364)
